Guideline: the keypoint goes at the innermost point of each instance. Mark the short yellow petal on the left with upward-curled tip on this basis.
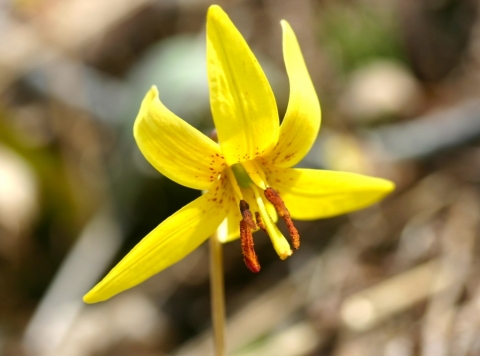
(174, 147)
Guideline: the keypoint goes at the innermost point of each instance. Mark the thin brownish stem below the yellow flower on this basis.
(217, 295)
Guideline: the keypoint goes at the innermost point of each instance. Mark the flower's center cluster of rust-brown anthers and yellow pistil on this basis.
(248, 181)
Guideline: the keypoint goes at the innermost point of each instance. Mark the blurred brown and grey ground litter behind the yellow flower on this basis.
(398, 81)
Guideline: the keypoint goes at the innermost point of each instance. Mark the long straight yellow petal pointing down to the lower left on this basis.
(168, 243)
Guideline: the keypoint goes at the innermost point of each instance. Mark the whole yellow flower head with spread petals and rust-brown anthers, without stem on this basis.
(246, 175)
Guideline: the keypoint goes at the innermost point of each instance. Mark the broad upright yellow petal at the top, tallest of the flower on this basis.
(242, 102)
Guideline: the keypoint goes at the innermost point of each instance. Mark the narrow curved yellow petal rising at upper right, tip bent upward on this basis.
(300, 126)
